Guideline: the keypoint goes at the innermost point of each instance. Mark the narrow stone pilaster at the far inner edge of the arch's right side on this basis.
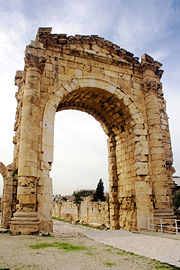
(113, 185)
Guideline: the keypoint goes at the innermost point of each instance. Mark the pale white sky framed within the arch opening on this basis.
(80, 153)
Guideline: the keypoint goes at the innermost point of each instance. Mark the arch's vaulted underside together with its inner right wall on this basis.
(116, 121)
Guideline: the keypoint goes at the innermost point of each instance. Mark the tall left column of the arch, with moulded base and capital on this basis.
(25, 219)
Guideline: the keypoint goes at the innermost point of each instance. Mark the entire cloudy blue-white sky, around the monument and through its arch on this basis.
(140, 26)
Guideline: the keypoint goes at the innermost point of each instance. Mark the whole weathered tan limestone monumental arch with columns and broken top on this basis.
(93, 75)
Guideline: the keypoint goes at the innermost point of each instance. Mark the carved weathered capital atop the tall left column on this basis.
(35, 61)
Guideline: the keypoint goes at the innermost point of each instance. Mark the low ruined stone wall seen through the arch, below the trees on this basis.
(93, 213)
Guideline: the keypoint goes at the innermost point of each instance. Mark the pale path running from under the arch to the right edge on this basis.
(154, 247)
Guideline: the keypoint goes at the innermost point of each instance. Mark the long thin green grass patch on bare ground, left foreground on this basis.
(63, 245)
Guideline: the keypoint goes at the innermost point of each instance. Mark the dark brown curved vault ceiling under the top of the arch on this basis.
(103, 105)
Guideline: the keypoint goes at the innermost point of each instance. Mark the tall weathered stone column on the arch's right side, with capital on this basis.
(157, 158)
